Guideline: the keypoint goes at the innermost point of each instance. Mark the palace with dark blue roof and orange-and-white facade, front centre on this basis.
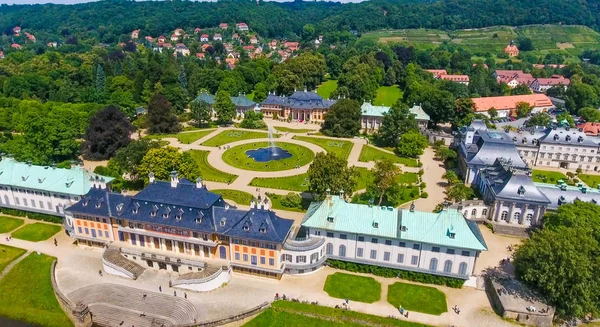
(185, 223)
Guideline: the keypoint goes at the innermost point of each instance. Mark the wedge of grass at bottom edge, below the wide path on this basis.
(290, 314)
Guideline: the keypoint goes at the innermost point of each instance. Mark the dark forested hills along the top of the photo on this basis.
(112, 21)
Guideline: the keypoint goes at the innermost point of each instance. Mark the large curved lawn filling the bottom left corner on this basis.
(27, 293)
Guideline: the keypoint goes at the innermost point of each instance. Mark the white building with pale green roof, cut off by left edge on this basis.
(44, 189)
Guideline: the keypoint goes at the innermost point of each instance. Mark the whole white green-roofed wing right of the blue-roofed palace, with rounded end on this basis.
(443, 243)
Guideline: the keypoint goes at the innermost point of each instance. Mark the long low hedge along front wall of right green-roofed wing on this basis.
(391, 273)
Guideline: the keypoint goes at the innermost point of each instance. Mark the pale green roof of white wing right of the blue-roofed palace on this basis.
(426, 227)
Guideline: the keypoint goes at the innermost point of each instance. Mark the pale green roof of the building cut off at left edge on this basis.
(74, 181)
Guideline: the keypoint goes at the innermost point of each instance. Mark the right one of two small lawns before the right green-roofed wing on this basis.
(418, 298)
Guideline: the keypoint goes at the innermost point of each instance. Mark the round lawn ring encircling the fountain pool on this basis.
(237, 157)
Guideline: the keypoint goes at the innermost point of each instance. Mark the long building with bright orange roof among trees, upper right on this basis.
(506, 105)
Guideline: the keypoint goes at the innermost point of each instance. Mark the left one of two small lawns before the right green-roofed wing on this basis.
(355, 288)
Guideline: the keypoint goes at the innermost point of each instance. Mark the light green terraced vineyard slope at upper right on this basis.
(571, 40)
